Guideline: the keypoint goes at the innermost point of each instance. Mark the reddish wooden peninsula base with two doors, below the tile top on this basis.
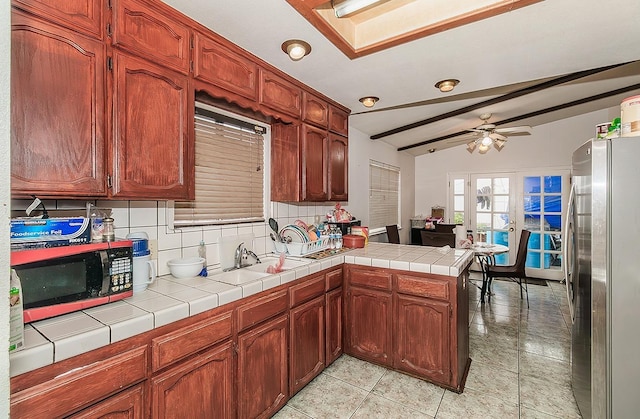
(417, 323)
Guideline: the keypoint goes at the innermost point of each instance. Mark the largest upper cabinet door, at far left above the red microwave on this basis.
(57, 111)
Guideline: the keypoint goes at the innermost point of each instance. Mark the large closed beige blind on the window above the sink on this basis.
(229, 174)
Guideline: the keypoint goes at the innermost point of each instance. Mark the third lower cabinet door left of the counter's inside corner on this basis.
(262, 369)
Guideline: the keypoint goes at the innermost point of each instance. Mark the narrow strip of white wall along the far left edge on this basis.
(5, 164)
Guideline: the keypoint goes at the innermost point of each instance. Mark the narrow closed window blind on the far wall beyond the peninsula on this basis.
(384, 195)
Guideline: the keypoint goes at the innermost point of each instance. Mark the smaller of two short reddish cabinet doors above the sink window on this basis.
(279, 94)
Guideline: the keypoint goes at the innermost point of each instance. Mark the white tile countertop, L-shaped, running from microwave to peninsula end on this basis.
(170, 299)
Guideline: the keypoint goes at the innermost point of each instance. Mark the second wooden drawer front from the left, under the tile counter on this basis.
(184, 342)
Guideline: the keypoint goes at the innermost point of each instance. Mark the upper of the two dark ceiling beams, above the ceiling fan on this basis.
(512, 95)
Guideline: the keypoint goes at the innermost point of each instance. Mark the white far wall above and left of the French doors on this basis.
(550, 145)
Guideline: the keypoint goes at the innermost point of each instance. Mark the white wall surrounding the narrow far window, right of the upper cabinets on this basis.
(361, 150)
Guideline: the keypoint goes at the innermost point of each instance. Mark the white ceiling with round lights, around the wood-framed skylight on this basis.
(491, 57)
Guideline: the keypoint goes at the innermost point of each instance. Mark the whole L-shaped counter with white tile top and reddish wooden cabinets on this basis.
(249, 348)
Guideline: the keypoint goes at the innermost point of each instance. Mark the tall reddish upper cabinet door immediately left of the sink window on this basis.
(153, 151)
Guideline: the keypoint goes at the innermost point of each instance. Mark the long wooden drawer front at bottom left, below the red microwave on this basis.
(81, 386)
